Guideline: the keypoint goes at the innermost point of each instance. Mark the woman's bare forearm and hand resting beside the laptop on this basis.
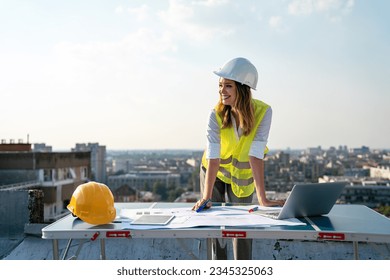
(257, 166)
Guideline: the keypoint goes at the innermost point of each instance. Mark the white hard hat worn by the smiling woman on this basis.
(240, 70)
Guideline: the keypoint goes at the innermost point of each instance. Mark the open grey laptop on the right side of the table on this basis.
(307, 200)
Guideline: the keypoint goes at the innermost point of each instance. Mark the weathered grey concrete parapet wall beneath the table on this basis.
(35, 248)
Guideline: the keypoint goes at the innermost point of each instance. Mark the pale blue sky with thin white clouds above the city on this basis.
(138, 74)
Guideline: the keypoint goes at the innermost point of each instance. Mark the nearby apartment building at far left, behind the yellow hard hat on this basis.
(57, 174)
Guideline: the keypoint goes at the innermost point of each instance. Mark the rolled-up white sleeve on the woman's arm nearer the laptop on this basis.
(261, 137)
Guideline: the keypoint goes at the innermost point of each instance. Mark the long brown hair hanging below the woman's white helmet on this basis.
(244, 108)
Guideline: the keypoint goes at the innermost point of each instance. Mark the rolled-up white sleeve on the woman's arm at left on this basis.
(213, 137)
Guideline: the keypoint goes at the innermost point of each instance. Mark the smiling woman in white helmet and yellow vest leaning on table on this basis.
(232, 165)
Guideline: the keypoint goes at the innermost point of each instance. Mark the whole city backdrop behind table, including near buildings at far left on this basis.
(36, 183)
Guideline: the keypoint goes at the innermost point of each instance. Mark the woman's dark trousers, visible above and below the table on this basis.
(222, 192)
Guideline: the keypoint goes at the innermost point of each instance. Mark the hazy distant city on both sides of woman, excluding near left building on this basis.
(366, 171)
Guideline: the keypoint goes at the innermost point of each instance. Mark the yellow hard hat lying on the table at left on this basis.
(93, 203)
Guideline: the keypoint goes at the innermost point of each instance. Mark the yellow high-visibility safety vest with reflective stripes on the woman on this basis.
(234, 166)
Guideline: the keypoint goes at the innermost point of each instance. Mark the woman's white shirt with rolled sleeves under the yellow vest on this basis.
(258, 144)
